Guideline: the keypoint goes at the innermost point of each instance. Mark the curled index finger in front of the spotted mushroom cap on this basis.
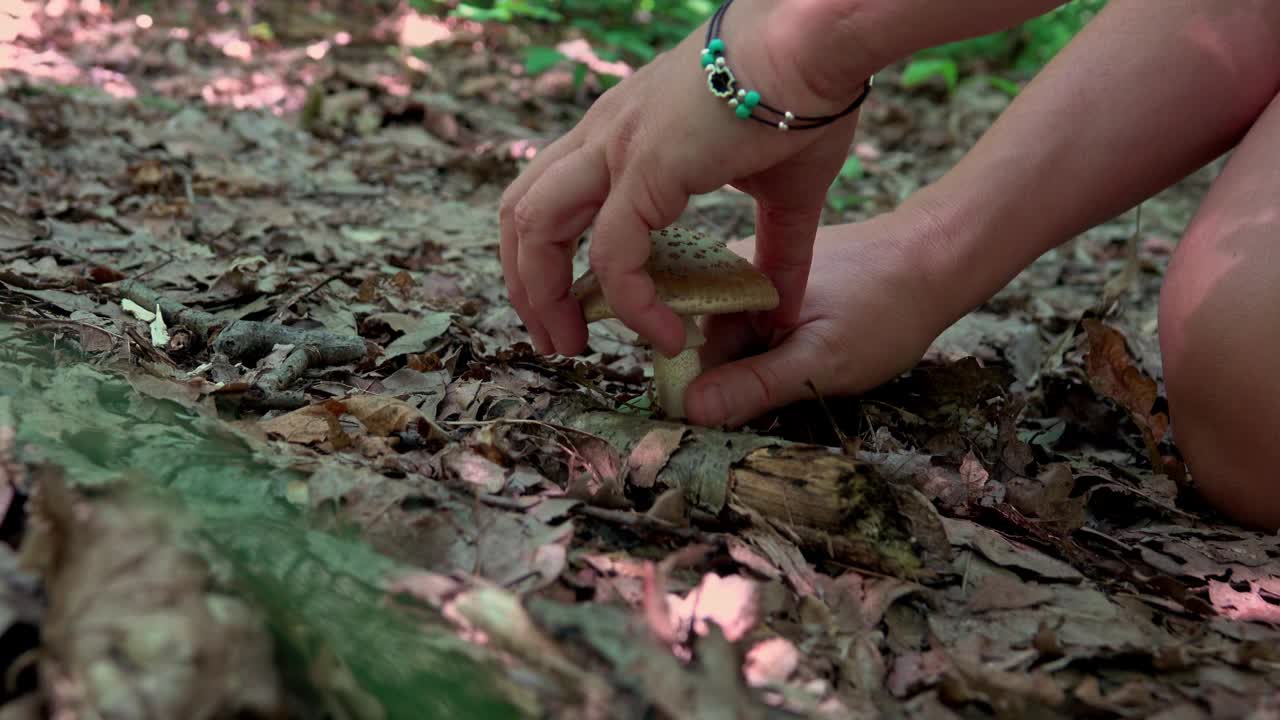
(620, 249)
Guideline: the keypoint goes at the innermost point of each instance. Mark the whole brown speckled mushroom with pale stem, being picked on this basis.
(696, 276)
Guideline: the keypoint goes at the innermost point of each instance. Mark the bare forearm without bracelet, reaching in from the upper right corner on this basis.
(1151, 92)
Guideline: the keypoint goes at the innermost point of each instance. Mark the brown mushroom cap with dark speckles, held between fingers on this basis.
(694, 275)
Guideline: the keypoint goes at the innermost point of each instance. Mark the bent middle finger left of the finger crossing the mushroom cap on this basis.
(550, 220)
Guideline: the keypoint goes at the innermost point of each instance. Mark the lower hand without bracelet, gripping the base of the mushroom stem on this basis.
(870, 316)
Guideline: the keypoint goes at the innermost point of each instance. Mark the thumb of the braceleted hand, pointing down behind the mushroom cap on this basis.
(784, 252)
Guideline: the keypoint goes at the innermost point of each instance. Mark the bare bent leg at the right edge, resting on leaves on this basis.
(1220, 334)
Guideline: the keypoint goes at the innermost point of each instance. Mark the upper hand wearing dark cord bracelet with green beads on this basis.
(636, 160)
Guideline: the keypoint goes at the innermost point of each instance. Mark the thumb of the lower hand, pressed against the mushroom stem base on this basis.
(737, 393)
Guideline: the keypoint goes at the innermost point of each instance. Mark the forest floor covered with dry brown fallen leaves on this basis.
(333, 480)
